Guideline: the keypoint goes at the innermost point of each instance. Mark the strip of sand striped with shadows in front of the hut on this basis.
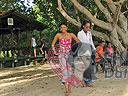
(25, 73)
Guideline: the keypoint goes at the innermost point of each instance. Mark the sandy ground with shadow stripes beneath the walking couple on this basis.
(39, 80)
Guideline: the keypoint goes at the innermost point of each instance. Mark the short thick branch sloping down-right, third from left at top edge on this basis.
(104, 10)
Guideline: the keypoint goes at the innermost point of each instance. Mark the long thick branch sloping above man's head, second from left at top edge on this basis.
(98, 22)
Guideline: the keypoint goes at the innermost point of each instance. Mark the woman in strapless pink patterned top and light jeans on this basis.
(65, 40)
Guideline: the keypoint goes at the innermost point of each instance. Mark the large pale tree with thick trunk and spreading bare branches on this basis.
(116, 23)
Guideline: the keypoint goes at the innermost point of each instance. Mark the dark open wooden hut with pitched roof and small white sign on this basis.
(12, 26)
